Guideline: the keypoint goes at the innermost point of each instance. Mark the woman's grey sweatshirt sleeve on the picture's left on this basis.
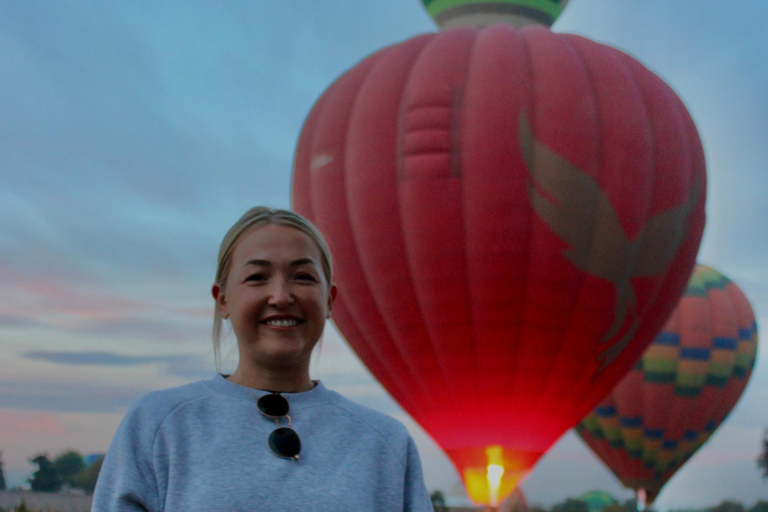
(127, 480)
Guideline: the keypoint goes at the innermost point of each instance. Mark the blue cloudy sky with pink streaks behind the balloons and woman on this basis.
(134, 133)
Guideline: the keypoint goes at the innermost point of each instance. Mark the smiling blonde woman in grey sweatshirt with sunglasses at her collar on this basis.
(265, 437)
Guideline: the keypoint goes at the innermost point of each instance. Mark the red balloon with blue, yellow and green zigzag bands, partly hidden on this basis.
(681, 390)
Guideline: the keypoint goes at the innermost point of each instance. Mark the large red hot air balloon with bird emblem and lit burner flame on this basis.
(513, 215)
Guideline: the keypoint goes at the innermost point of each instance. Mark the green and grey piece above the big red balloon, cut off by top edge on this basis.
(479, 13)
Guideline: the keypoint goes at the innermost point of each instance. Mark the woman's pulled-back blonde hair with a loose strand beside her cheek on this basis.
(255, 217)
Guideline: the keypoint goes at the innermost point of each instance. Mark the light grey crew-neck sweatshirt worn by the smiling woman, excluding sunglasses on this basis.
(203, 447)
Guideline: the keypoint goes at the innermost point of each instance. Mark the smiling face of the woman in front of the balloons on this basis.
(276, 296)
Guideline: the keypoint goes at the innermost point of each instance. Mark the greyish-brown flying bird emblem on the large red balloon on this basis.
(571, 203)
